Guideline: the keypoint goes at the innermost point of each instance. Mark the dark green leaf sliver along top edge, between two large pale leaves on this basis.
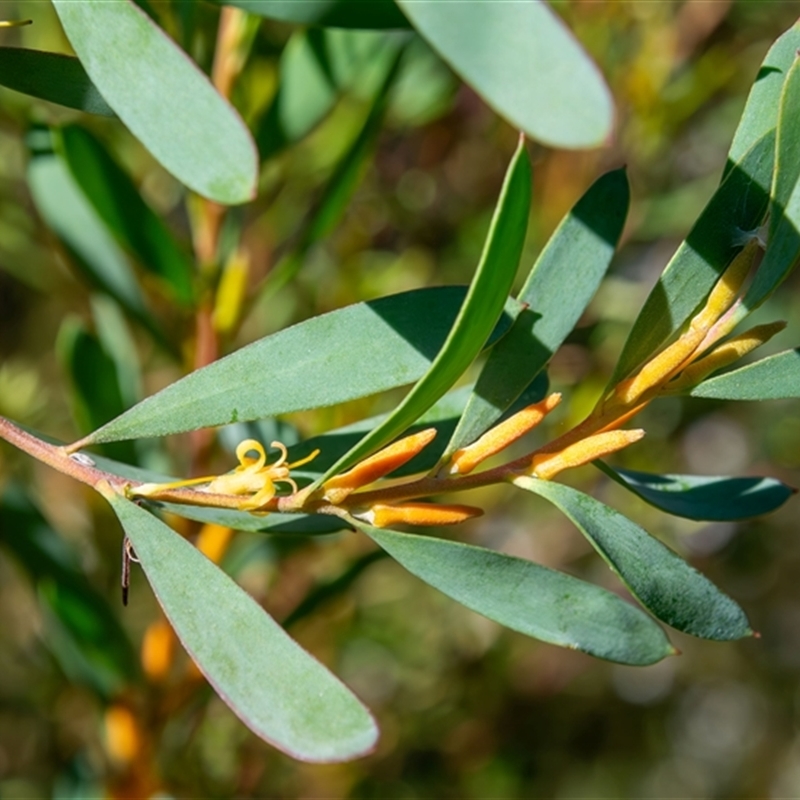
(328, 13)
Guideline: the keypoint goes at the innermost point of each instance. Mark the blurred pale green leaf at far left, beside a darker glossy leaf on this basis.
(73, 220)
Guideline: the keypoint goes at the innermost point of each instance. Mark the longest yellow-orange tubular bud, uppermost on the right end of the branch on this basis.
(668, 362)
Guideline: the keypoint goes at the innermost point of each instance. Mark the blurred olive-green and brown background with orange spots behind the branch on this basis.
(467, 709)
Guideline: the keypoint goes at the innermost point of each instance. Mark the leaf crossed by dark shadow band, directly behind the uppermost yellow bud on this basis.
(737, 206)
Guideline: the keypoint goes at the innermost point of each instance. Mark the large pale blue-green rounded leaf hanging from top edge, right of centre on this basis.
(524, 62)
